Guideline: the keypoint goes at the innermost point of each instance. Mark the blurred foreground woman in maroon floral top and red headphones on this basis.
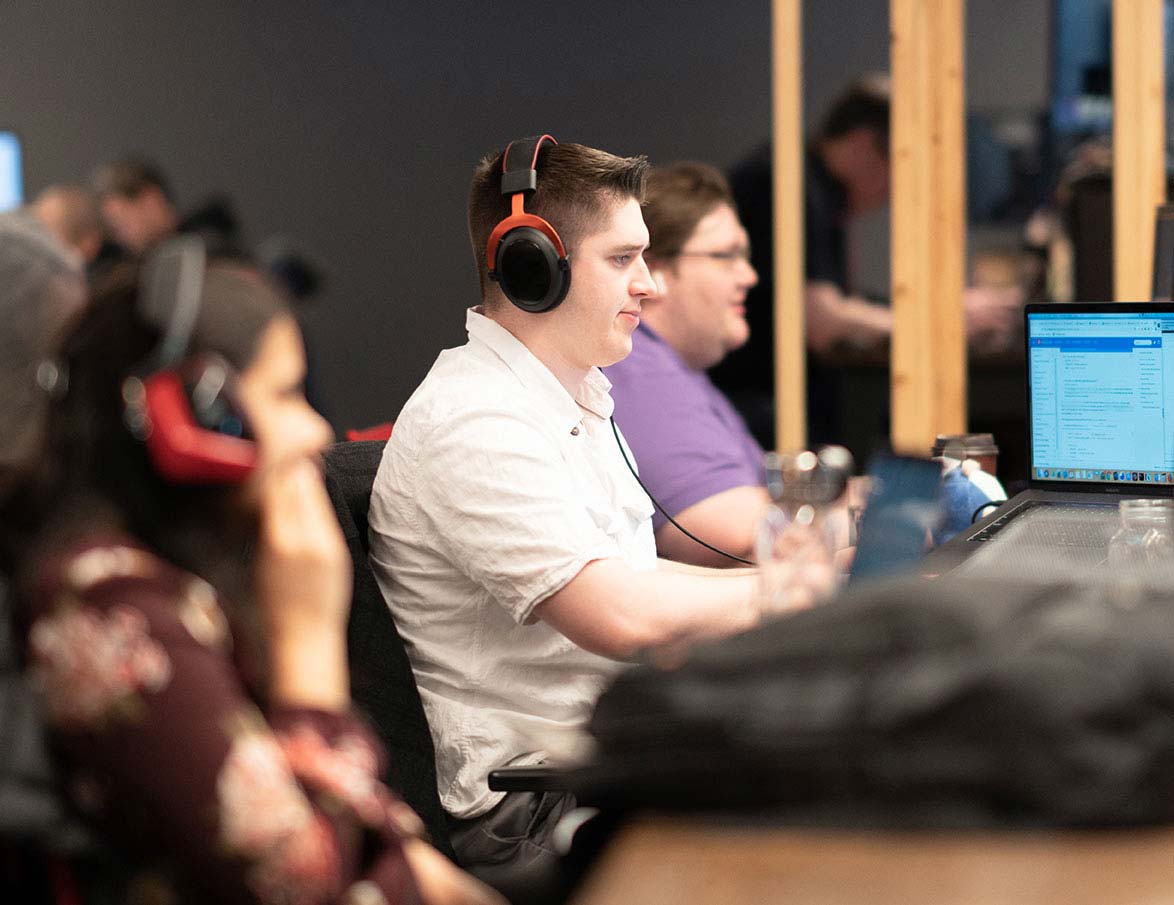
(198, 694)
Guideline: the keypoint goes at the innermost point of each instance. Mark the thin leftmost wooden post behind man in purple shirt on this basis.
(787, 168)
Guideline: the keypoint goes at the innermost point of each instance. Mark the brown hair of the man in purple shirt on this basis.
(678, 199)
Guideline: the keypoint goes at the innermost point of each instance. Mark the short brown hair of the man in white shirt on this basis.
(576, 186)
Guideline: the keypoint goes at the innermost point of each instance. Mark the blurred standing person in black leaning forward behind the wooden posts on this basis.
(847, 177)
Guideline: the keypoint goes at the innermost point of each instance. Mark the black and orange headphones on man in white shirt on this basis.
(525, 255)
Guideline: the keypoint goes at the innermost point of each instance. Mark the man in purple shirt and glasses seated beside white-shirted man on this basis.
(693, 449)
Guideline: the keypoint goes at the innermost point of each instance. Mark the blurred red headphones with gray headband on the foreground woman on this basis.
(185, 407)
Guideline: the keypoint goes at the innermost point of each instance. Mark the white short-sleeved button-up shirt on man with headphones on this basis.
(496, 489)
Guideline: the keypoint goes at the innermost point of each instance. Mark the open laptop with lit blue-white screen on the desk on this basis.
(1101, 418)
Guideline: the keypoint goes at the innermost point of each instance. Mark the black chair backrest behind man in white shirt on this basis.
(382, 683)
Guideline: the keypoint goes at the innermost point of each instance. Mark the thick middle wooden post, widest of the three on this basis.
(929, 222)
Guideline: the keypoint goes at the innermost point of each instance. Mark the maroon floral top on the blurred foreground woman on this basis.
(168, 754)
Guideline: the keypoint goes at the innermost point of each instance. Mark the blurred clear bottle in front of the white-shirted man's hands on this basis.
(801, 530)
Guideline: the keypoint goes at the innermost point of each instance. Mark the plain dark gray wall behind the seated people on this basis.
(353, 127)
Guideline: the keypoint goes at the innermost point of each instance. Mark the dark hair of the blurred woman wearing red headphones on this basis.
(97, 469)
